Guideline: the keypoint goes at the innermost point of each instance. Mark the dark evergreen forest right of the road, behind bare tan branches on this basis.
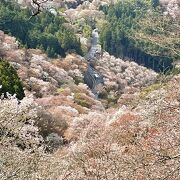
(138, 30)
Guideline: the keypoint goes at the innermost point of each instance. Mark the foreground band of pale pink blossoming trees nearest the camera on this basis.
(122, 143)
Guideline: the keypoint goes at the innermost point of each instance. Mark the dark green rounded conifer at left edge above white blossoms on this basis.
(10, 81)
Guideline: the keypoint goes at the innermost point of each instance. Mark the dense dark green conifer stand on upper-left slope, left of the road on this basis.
(44, 31)
